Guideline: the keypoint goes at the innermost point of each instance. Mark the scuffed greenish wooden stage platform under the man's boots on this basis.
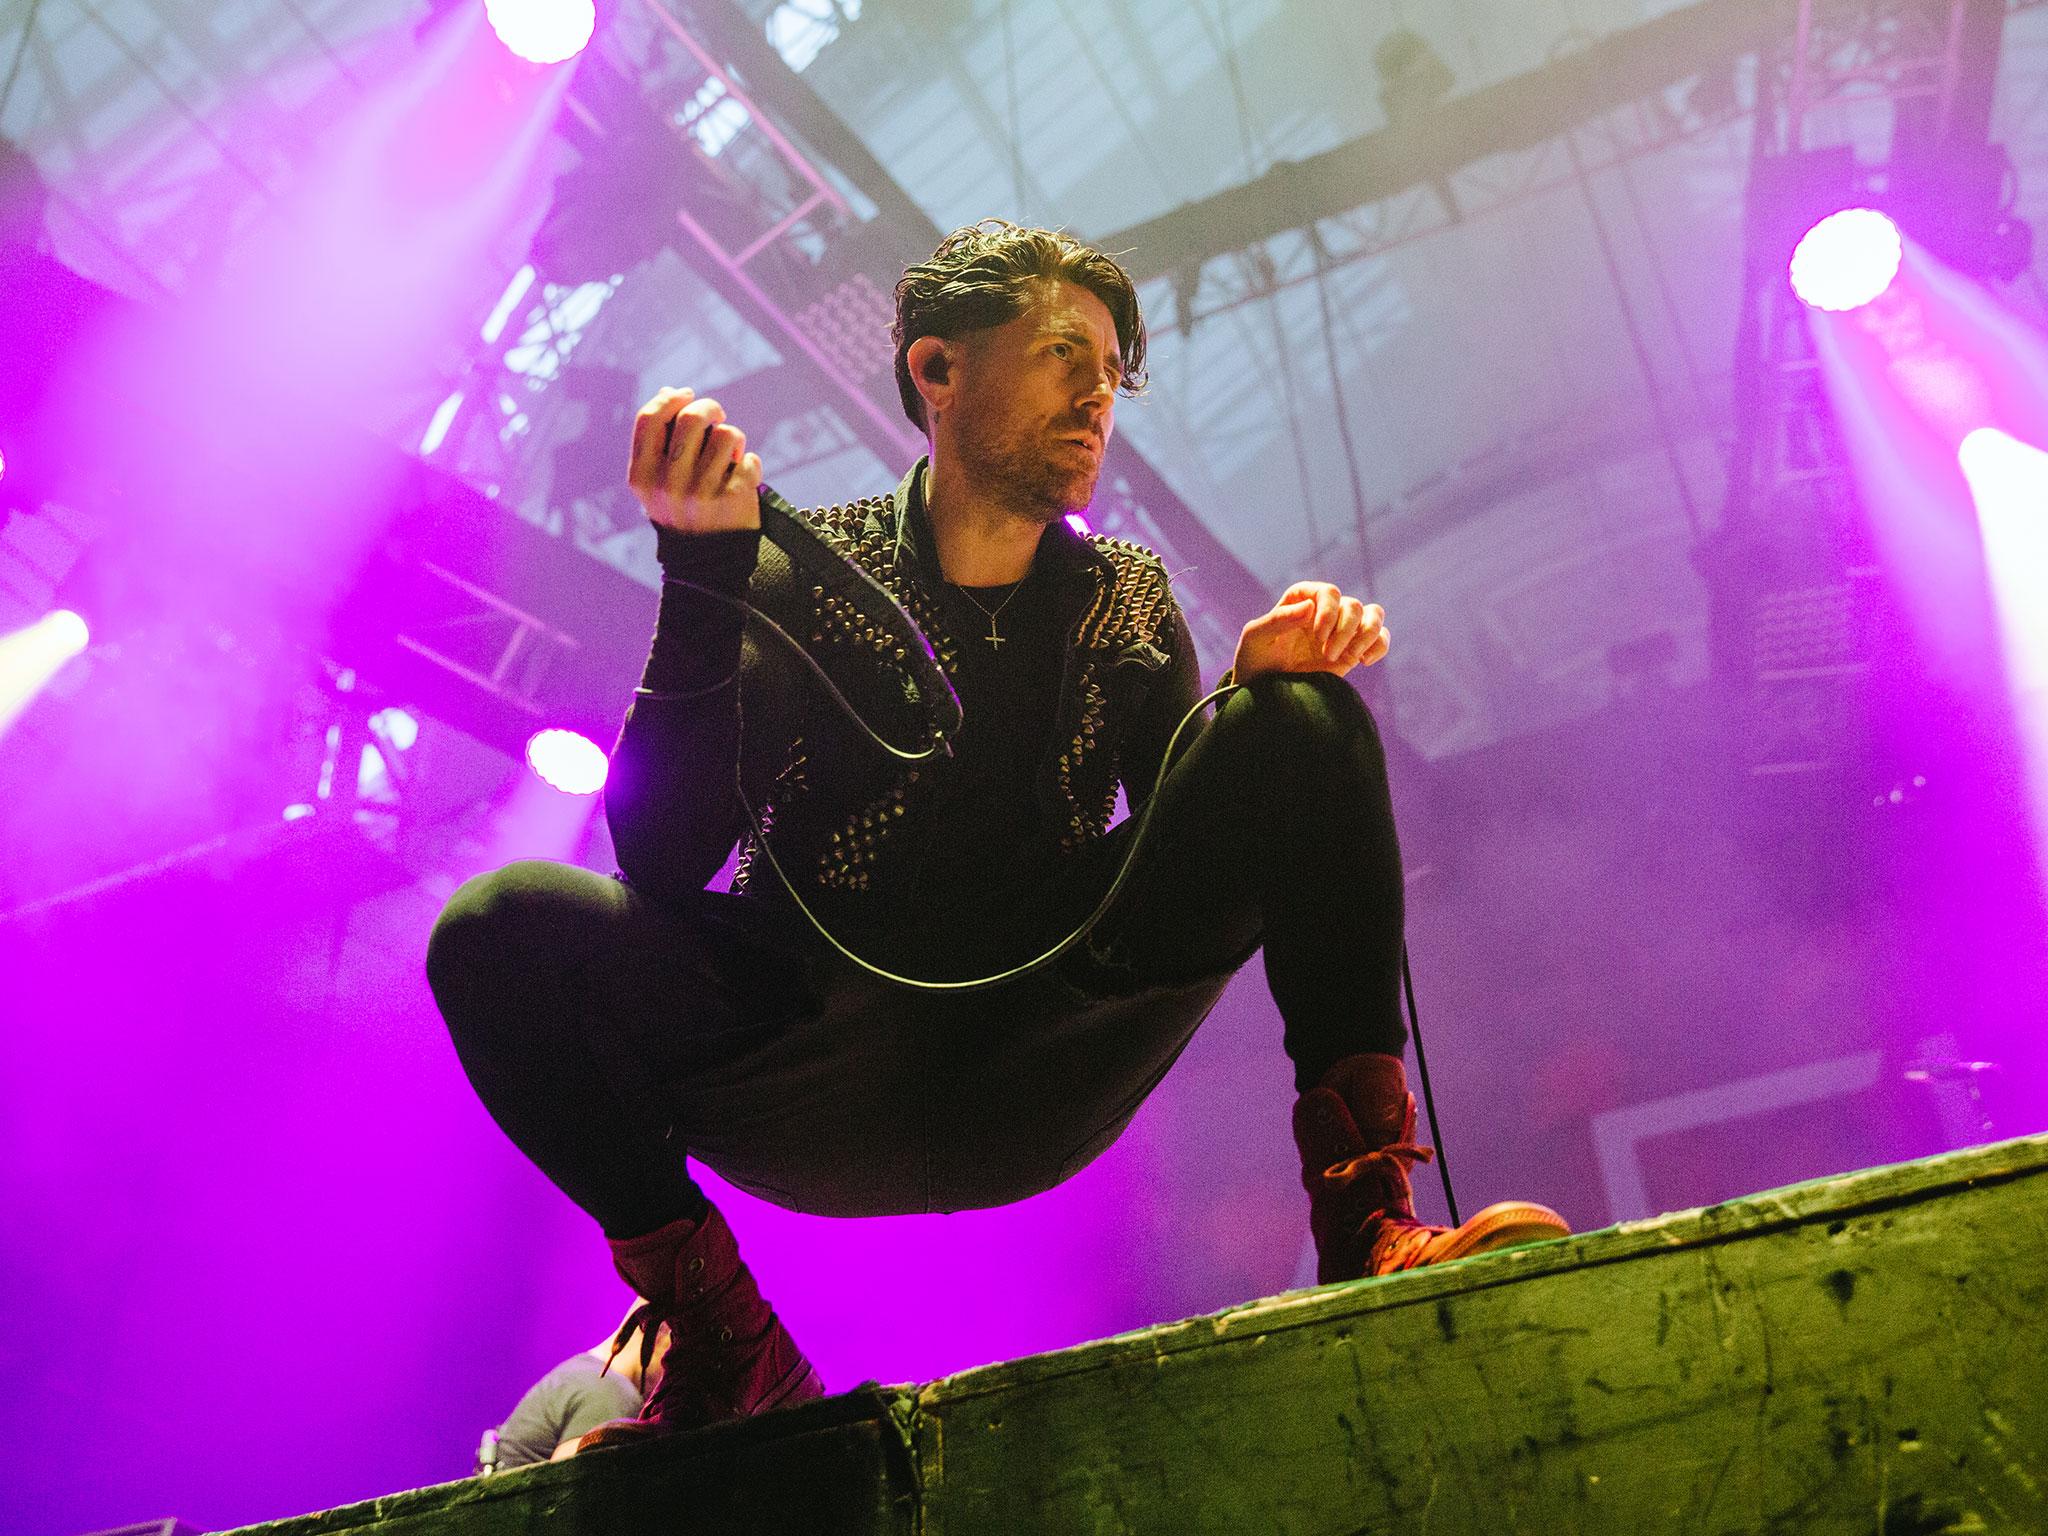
(1857, 1355)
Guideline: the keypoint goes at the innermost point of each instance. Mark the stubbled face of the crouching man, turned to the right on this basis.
(1039, 400)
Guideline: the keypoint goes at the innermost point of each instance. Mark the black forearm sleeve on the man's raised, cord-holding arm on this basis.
(671, 798)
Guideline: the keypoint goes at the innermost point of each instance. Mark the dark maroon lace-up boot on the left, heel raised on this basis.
(728, 1353)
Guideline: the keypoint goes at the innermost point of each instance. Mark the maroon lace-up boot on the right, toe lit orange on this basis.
(1357, 1138)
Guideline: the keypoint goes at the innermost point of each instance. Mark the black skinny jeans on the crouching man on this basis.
(609, 1037)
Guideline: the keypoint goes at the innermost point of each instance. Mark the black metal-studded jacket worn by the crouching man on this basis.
(845, 820)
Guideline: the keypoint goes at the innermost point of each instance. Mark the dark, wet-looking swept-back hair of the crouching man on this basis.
(984, 275)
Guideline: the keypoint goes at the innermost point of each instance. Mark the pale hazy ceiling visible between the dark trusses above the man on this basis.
(1512, 380)
